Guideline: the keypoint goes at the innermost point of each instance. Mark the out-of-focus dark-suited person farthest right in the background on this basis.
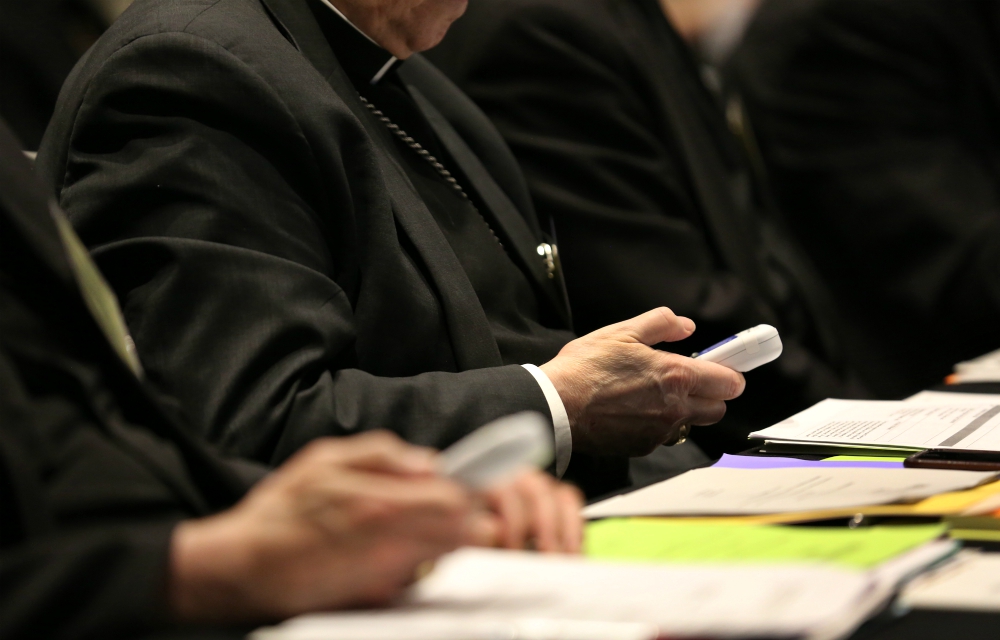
(877, 120)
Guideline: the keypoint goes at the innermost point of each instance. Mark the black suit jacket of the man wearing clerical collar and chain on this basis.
(279, 272)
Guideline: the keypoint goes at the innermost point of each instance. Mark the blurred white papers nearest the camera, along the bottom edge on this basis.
(483, 595)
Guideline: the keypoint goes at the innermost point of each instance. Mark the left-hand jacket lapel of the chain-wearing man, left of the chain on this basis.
(471, 337)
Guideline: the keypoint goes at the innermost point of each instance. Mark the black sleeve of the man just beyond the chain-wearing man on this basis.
(570, 103)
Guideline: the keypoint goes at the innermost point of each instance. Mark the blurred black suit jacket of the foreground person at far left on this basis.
(94, 470)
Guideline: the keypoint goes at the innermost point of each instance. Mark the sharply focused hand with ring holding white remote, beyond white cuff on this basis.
(625, 398)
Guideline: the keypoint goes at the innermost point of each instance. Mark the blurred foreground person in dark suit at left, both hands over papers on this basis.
(115, 520)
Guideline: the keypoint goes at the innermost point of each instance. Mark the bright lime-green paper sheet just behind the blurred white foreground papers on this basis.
(667, 540)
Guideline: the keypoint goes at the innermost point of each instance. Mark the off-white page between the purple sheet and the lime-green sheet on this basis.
(720, 491)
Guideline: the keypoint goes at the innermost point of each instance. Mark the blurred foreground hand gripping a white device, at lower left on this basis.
(345, 522)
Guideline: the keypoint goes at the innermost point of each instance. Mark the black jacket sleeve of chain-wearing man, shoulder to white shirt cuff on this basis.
(200, 196)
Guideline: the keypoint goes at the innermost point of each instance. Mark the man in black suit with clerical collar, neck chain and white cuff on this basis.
(311, 238)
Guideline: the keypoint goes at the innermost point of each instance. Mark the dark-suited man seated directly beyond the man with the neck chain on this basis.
(605, 107)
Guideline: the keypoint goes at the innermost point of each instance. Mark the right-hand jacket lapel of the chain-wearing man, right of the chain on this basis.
(525, 240)
